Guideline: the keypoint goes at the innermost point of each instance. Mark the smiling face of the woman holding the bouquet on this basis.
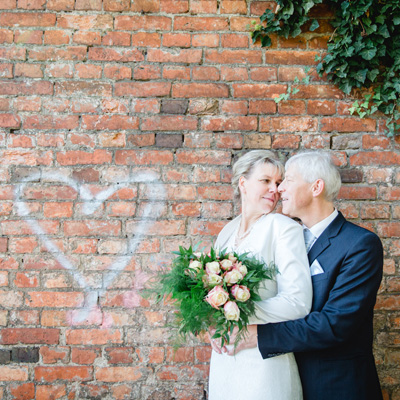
(259, 191)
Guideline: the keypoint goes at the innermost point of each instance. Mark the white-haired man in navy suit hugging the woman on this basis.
(333, 344)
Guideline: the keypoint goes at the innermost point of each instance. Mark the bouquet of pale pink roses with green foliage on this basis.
(214, 290)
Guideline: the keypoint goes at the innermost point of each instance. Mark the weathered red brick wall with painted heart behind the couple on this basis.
(112, 110)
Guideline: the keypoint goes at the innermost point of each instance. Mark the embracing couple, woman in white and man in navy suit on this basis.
(312, 335)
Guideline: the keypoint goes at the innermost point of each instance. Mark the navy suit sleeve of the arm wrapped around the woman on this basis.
(351, 298)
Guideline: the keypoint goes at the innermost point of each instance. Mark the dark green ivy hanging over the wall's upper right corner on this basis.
(363, 52)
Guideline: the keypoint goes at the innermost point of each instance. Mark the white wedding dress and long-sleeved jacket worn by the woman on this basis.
(247, 375)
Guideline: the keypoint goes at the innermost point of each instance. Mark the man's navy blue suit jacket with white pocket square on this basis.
(333, 344)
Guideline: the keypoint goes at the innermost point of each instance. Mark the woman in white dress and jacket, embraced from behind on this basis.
(270, 237)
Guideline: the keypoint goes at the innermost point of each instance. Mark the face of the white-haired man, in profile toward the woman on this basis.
(296, 194)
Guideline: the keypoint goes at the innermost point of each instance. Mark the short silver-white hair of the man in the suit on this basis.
(313, 165)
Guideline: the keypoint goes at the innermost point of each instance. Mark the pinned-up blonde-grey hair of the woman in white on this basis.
(245, 165)
